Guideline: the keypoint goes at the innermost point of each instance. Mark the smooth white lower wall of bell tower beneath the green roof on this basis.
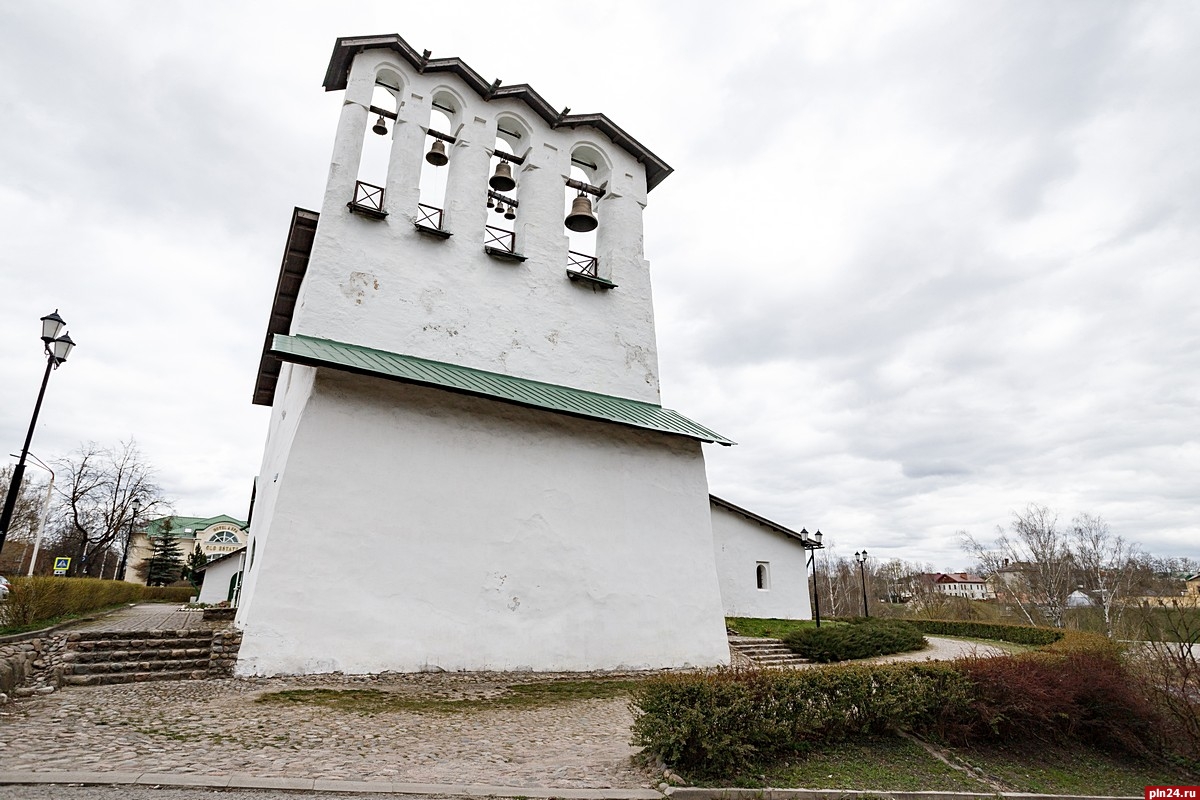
(418, 530)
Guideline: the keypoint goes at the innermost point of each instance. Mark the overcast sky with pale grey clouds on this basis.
(927, 262)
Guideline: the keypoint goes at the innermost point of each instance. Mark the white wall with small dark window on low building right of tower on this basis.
(742, 545)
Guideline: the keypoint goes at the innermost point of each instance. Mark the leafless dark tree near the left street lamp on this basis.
(99, 486)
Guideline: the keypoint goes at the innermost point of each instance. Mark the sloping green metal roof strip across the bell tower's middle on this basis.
(551, 398)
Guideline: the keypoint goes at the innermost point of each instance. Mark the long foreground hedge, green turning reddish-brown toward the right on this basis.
(719, 724)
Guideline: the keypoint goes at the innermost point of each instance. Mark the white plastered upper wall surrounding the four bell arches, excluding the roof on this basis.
(381, 284)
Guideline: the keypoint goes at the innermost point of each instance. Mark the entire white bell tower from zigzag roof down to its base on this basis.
(467, 465)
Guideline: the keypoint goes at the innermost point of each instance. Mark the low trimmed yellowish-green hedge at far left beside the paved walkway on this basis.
(33, 601)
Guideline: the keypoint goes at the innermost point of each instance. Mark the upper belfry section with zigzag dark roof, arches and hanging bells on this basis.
(442, 278)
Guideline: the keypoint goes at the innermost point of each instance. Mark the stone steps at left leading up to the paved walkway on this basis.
(97, 658)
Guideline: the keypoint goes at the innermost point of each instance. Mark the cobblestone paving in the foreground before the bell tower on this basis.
(215, 727)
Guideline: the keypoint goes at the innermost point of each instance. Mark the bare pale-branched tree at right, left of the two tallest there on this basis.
(1035, 561)
